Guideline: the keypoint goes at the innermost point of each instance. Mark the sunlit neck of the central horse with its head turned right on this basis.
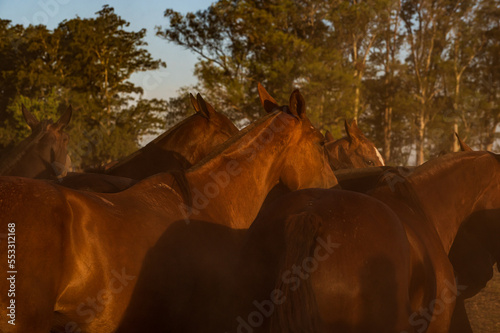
(230, 188)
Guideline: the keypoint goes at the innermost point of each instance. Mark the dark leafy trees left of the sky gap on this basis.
(86, 63)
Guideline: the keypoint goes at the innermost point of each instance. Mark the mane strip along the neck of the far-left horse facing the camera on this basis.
(17, 152)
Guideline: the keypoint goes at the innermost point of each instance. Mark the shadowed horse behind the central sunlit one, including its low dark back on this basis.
(175, 150)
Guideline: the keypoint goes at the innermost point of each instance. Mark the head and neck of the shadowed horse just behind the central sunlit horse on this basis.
(180, 147)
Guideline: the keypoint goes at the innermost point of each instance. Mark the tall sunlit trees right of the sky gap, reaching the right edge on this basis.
(411, 71)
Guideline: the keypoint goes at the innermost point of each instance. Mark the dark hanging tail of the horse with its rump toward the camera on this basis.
(299, 312)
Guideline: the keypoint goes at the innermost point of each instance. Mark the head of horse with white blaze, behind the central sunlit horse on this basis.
(353, 150)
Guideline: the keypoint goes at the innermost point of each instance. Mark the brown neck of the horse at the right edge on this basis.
(450, 189)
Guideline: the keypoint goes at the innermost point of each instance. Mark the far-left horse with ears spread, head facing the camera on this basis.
(44, 153)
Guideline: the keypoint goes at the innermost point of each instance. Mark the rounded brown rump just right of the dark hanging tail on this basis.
(369, 255)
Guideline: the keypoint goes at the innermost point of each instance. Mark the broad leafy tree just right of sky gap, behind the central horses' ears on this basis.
(282, 44)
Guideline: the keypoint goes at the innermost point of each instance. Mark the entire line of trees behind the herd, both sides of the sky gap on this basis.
(411, 72)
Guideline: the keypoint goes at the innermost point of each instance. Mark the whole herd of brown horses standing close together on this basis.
(274, 228)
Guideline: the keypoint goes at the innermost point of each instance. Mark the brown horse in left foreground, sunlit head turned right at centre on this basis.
(79, 253)
